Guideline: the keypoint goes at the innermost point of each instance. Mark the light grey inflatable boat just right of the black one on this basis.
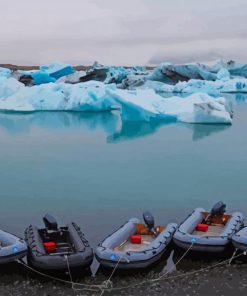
(135, 245)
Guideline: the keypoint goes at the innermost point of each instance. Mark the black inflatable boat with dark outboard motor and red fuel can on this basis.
(54, 248)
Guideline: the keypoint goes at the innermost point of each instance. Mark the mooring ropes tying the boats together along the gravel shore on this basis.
(107, 286)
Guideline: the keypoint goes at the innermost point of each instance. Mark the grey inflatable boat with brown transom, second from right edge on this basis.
(208, 231)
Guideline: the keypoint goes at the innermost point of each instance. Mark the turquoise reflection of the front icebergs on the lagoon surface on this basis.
(110, 122)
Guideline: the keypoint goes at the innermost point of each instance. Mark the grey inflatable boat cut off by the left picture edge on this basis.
(11, 247)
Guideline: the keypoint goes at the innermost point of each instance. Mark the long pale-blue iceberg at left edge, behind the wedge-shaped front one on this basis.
(90, 96)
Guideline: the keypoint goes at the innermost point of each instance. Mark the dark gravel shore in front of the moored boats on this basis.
(187, 280)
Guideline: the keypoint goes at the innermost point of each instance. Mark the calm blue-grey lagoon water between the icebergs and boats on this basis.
(99, 172)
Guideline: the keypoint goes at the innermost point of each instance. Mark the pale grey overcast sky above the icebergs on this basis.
(122, 31)
